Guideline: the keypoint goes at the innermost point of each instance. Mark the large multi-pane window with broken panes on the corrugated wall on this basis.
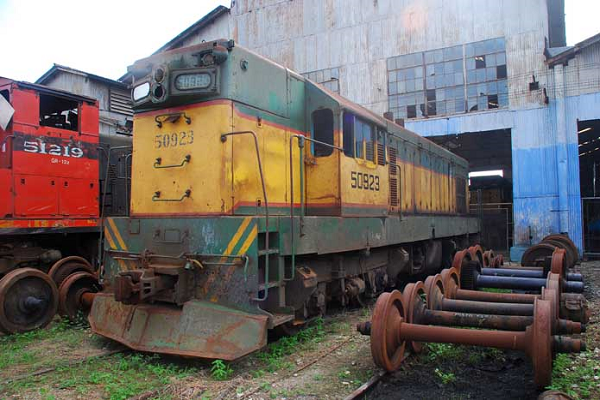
(464, 78)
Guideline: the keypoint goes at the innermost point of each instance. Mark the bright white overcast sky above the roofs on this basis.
(105, 37)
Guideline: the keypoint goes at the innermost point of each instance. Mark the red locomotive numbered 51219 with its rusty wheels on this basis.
(51, 157)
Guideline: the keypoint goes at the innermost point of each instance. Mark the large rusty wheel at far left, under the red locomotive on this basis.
(28, 300)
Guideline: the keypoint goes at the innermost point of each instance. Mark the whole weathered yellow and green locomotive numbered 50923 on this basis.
(258, 199)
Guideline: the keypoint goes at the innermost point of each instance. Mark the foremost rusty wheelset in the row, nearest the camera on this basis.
(391, 328)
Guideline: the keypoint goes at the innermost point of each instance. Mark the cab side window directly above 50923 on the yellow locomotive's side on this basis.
(359, 138)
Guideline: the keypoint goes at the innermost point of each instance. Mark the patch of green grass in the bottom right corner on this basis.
(574, 375)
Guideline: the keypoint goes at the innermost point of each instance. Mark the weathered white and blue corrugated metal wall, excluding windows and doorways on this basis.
(358, 36)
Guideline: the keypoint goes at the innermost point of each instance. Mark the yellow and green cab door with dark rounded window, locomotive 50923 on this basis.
(322, 163)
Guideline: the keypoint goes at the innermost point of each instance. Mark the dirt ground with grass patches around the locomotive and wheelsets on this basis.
(327, 363)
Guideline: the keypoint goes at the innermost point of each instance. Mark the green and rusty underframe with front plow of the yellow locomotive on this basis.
(202, 286)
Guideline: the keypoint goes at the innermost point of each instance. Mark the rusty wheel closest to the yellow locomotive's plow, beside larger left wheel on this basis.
(76, 294)
